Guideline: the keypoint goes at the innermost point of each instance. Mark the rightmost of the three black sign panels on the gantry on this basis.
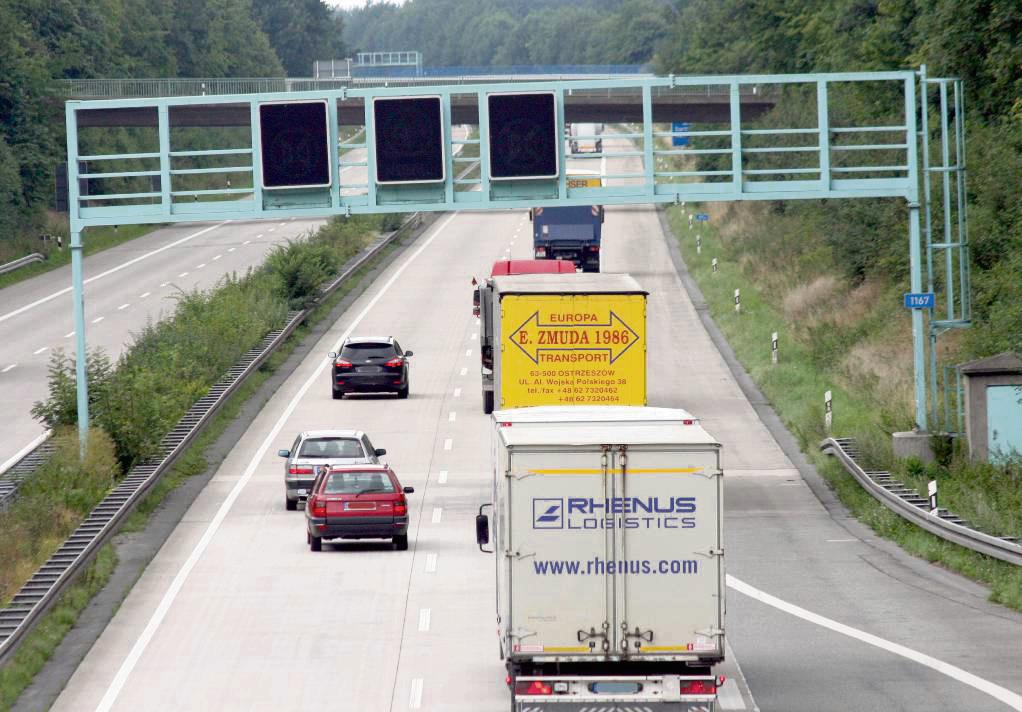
(523, 136)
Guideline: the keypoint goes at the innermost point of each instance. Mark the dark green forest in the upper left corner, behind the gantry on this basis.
(47, 40)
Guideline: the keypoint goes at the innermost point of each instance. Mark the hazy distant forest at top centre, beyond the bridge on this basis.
(475, 33)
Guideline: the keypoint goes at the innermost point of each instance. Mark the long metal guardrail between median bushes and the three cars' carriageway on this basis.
(64, 566)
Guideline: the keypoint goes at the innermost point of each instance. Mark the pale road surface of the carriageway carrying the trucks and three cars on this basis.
(237, 613)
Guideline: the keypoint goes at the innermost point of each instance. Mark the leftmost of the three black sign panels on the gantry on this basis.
(296, 145)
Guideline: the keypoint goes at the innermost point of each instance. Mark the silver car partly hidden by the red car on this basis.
(315, 449)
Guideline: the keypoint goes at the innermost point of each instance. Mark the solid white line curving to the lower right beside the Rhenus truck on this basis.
(1011, 699)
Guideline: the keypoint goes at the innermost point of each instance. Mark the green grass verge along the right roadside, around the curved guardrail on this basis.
(796, 388)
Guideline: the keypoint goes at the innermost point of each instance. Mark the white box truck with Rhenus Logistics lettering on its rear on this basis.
(607, 524)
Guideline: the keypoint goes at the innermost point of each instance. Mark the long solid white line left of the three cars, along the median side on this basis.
(143, 642)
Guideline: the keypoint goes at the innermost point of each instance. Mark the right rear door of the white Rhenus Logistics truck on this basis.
(669, 574)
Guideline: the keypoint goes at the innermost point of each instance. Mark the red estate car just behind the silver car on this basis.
(358, 502)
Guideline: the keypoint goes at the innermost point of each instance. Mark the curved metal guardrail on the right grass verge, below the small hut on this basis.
(908, 504)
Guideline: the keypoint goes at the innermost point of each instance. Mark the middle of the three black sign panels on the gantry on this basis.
(409, 139)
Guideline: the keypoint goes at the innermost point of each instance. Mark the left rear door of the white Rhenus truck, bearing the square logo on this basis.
(561, 595)
